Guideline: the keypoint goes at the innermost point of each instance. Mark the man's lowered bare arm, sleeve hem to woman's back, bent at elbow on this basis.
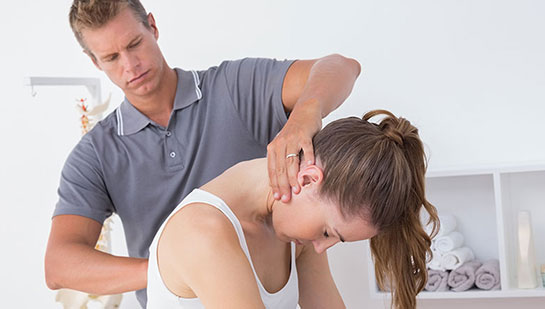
(71, 260)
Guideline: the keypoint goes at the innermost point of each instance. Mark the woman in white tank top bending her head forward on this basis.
(229, 244)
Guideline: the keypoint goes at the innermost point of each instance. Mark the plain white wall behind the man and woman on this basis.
(469, 74)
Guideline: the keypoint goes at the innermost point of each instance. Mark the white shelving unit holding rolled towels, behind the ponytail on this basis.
(485, 202)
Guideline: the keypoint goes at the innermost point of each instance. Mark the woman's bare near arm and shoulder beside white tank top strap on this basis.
(199, 254)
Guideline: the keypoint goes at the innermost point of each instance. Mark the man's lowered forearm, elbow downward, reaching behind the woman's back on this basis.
(79, 267)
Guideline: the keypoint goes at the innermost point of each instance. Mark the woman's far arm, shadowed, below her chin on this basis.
(316, 286)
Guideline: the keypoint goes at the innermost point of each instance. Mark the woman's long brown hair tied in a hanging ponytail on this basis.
(376, 171)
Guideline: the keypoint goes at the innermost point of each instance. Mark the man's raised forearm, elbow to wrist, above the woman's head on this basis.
(330, 82)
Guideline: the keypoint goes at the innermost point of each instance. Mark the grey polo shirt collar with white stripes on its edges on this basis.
(130, 120)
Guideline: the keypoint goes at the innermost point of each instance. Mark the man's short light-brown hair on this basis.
(93, 14)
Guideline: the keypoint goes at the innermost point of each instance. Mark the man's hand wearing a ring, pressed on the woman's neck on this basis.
(283, 152)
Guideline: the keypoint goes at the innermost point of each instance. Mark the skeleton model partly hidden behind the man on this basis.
(71, 299)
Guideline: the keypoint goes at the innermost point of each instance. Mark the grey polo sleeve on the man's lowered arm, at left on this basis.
(82, 190)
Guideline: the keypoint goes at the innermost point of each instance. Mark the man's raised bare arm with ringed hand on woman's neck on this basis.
(311, 90)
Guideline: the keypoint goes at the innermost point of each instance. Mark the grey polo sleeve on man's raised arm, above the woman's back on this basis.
(255, 88)
